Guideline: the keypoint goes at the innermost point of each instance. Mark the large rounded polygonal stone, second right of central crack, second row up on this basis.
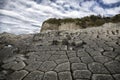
(97, 68)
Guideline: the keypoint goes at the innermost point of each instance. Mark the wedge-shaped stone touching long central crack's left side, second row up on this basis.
(63, 67)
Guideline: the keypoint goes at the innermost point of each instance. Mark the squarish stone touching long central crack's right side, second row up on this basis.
(79, 66)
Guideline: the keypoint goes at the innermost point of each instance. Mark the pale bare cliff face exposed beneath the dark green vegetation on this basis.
(69, 26)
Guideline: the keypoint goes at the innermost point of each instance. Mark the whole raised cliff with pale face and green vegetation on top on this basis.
(73, 24)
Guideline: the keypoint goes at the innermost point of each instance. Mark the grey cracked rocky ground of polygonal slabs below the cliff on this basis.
(91, 54)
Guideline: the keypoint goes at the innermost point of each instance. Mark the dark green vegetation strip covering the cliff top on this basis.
(87, 21)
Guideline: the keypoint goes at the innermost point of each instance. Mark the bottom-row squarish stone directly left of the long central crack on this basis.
(65, 76)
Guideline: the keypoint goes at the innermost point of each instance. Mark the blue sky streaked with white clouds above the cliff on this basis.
(27, 16)
